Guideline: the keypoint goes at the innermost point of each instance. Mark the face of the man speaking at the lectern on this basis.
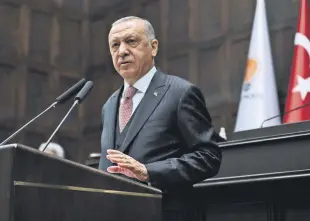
(132, 52)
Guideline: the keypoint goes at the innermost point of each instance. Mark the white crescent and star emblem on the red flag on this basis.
(303, 84)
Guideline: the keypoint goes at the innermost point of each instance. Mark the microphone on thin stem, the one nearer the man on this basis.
(77, 100)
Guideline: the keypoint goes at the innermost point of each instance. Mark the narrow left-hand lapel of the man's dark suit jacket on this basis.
(111, 126)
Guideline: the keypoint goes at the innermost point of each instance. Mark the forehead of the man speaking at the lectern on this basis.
(126, 27)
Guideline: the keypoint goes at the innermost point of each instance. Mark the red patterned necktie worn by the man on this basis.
(126, 106)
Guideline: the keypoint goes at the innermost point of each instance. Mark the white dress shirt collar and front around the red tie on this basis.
(141, 85)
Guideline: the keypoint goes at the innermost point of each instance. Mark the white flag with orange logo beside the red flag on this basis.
(259, 98)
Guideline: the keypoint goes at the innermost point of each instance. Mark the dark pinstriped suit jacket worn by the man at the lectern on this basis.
(171, 133)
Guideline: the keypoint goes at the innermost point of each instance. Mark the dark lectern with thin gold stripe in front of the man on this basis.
(38, 186)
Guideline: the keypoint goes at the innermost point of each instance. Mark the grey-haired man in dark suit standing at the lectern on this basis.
(156, 128)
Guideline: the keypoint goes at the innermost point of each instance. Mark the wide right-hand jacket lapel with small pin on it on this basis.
(151, 99)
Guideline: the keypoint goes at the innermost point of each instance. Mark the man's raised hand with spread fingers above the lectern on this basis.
(127, 165)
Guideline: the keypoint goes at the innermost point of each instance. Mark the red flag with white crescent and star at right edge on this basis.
(299, 86)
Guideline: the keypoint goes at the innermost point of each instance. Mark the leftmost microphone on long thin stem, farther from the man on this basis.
(59, 100)
